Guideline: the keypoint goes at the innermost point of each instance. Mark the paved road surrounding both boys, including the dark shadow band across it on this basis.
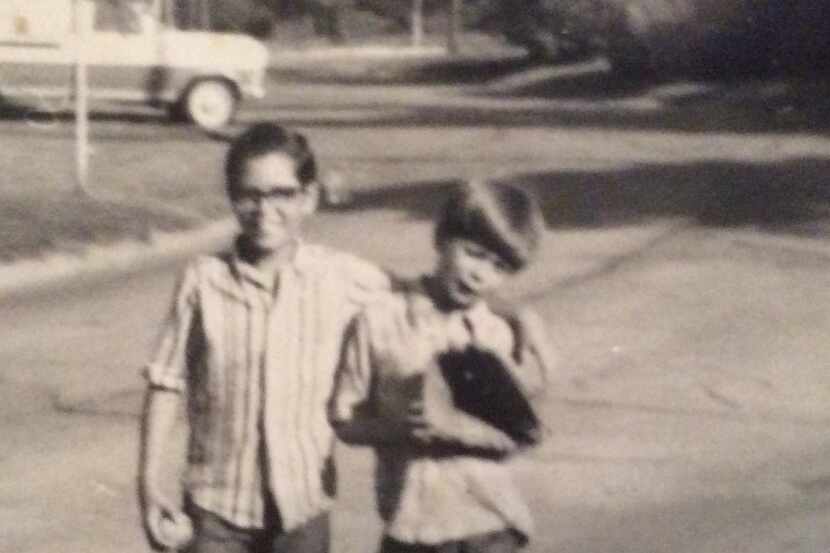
(691, 410)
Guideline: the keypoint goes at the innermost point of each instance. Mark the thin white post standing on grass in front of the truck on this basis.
(81, 96)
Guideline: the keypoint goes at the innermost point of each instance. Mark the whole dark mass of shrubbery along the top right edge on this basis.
(714, 38)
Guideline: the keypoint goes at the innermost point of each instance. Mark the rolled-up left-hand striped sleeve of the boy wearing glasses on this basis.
(168, 368)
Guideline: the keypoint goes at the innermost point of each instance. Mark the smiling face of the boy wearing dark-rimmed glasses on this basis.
(270, 202)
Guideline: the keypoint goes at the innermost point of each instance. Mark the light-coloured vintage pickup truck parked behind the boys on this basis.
(133, 52)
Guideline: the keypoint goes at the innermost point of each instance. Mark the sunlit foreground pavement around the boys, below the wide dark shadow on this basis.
(690, 414)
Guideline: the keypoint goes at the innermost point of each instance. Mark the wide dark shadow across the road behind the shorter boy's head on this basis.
(788, 197)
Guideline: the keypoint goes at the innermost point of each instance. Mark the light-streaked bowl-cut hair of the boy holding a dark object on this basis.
(502, 217)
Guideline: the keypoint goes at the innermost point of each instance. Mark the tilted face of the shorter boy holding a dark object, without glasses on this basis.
(467, 271)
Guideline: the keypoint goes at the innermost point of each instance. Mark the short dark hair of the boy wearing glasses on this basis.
(264, 138)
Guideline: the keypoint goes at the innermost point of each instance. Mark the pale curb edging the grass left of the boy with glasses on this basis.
(54, 269)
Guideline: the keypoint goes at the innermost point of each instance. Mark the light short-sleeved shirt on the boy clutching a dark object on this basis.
(424, 498)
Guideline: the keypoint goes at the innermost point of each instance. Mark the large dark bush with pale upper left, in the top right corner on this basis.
(720, 38)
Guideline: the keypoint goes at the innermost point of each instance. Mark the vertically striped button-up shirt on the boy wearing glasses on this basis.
(256, 357)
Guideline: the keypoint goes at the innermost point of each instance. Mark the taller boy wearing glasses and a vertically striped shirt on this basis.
(250, 346)
